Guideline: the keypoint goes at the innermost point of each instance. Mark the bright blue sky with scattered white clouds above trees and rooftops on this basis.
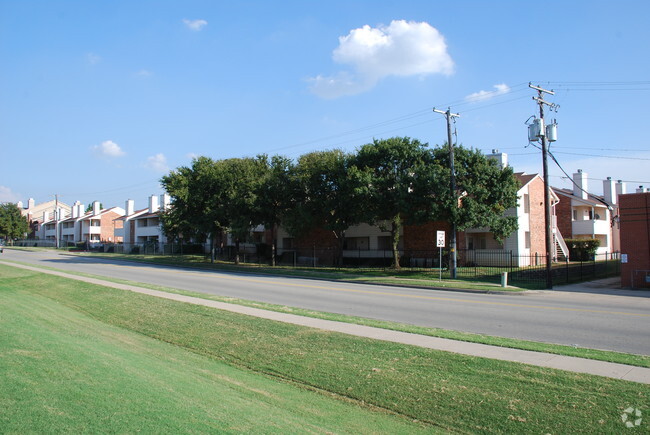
(99, 99)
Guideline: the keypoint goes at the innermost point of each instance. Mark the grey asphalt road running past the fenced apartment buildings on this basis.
(617, 321)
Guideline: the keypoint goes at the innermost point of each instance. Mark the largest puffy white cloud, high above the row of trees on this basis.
(403, 48)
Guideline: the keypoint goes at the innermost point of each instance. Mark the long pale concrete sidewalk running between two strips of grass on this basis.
(573, 364)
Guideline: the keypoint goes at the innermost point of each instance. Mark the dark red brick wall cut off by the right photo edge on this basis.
(635, 238)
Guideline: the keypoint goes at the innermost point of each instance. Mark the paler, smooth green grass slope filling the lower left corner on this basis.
(65, 372)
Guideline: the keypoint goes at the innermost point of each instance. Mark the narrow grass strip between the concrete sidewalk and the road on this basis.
(557, 349)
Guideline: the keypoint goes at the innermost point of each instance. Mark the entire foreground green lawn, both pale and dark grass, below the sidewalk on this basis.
(442, 390)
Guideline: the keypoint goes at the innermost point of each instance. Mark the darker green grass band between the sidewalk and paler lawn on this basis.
(453, 392)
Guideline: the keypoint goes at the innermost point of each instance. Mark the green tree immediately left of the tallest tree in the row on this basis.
(334, 193)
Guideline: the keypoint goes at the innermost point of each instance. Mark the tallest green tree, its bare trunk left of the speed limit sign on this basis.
(402, 173)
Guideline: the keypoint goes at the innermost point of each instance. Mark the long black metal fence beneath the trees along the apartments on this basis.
(480, 264)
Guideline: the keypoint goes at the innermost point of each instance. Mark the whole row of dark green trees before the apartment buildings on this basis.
(388, 183)
